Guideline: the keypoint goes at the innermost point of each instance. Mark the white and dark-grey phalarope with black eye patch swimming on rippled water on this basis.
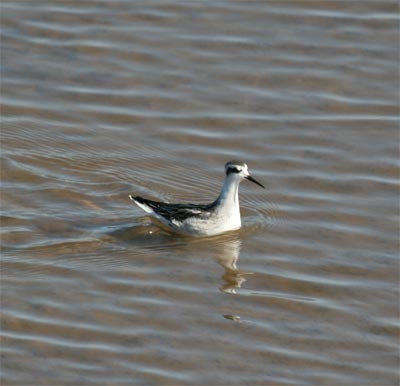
(220, 216)
